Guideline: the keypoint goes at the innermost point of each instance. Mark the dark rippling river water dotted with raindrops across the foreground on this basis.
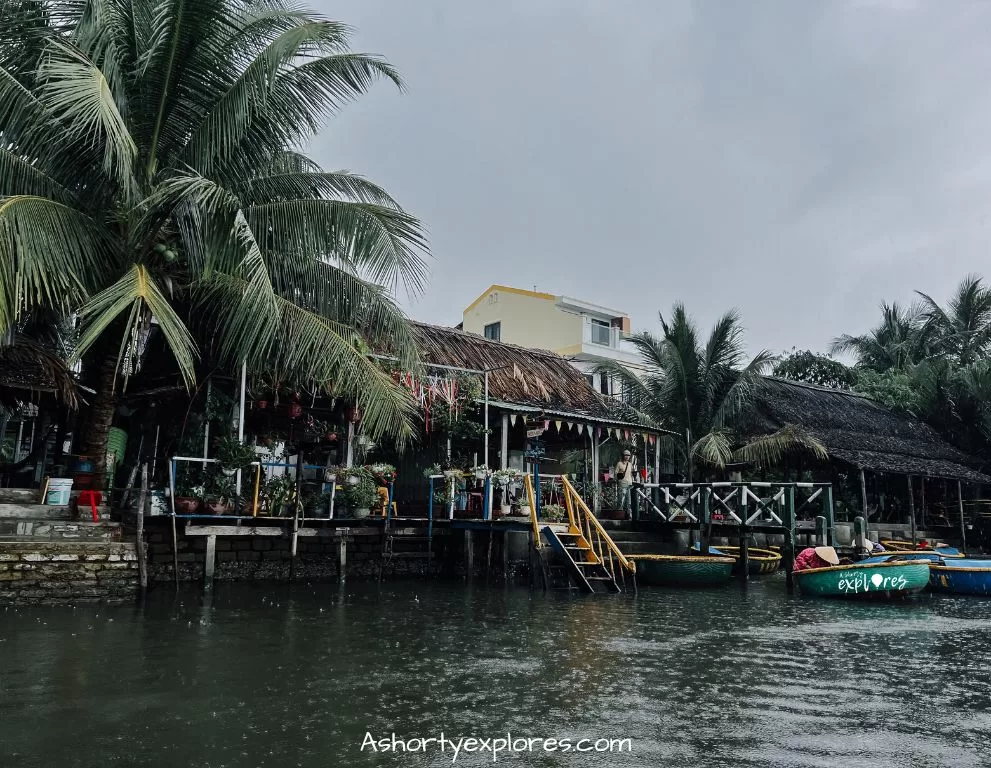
(297, 676)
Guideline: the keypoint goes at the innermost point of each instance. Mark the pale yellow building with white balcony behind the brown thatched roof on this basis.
(584, 333)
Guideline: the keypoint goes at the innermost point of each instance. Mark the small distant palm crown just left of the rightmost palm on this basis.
(898, 342)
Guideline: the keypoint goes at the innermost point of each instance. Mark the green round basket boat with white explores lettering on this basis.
(865, 581)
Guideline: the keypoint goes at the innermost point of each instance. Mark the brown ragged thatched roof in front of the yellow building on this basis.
(526, 380)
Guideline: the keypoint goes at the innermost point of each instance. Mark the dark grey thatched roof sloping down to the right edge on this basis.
(859, 431)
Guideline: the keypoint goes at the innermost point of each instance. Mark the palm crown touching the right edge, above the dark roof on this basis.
(962, 330)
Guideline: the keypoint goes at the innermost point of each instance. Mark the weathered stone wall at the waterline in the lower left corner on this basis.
(66, 571)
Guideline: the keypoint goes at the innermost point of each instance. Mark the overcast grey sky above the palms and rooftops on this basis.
(800, 161)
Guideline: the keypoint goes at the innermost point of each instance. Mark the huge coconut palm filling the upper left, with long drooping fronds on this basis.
(151, 184)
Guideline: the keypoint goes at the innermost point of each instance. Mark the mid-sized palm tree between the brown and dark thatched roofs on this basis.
(702, 392)
